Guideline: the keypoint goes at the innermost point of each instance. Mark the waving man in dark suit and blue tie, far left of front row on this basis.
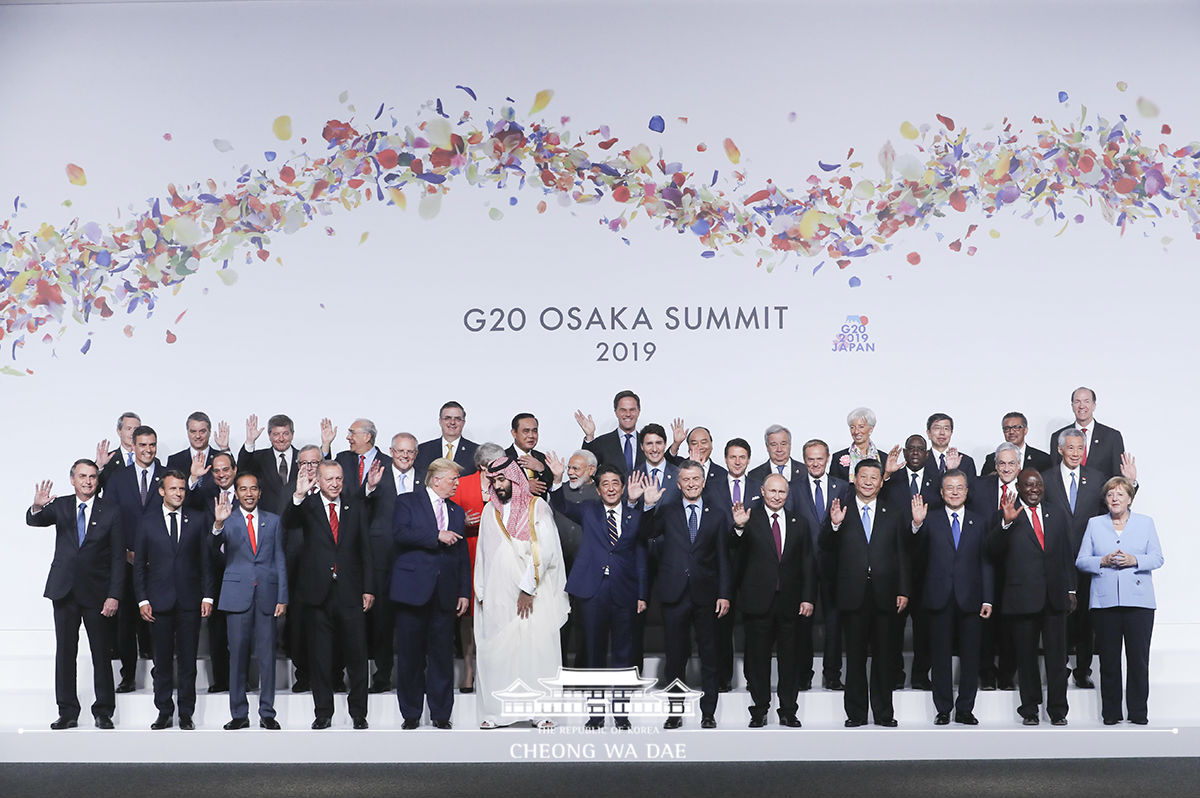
(86, 584)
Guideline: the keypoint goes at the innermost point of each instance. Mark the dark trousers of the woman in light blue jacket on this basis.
(1133, 628)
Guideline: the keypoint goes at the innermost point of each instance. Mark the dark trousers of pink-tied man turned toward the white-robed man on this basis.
(425, 667)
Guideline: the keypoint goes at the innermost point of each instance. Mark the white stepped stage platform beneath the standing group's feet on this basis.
(27, 697)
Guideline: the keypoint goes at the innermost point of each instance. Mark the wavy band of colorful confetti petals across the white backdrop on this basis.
(55, 278)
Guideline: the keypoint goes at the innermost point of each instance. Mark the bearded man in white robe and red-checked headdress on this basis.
(520, 596)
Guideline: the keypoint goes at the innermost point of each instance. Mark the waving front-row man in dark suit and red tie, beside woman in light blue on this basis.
(1034, 544)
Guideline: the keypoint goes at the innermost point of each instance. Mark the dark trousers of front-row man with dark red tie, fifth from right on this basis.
(776, 629)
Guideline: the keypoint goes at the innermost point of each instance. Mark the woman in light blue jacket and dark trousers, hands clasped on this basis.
(1120, 550)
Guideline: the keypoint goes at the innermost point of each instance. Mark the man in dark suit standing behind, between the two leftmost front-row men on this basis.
(135, 491)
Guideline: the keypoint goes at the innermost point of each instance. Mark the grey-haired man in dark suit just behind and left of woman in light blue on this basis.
(1078, 493)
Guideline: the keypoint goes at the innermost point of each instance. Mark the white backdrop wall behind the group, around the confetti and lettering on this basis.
(333, 325)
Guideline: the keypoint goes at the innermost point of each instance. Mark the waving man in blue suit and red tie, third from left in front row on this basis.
(254, 593)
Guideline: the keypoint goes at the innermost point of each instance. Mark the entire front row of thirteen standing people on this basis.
(757, 555)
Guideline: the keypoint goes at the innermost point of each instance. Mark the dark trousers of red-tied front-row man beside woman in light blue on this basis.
(1052, 625)
